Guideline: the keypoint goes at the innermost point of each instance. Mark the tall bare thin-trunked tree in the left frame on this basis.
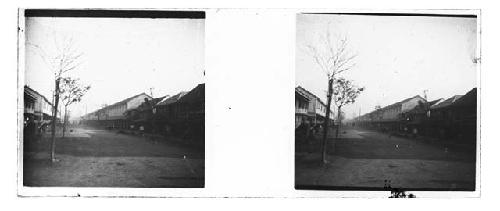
(64, 58)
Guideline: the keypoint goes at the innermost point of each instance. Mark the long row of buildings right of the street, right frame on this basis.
(450, 118)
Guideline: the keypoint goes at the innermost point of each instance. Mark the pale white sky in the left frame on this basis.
(122, 56)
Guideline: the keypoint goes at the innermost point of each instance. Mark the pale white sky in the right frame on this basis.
(397, 57)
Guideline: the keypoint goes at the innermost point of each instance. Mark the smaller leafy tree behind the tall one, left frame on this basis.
(71, 92)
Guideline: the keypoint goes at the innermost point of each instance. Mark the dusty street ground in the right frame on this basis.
(371, 160)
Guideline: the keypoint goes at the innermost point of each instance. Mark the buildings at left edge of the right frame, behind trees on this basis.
(310, 109)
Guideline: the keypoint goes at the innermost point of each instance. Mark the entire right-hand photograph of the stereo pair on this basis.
(387, 101)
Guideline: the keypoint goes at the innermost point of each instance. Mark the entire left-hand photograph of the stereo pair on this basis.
(111, 98)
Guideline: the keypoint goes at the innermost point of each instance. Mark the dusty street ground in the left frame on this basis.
(99, 158)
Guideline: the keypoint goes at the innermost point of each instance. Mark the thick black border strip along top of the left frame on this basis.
(102, 13)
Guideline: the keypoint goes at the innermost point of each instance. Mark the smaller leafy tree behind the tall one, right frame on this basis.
(345, 92)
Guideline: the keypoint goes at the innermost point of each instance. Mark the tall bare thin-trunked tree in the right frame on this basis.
(332, 57)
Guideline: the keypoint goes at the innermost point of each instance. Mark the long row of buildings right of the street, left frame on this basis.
(182, 113)
